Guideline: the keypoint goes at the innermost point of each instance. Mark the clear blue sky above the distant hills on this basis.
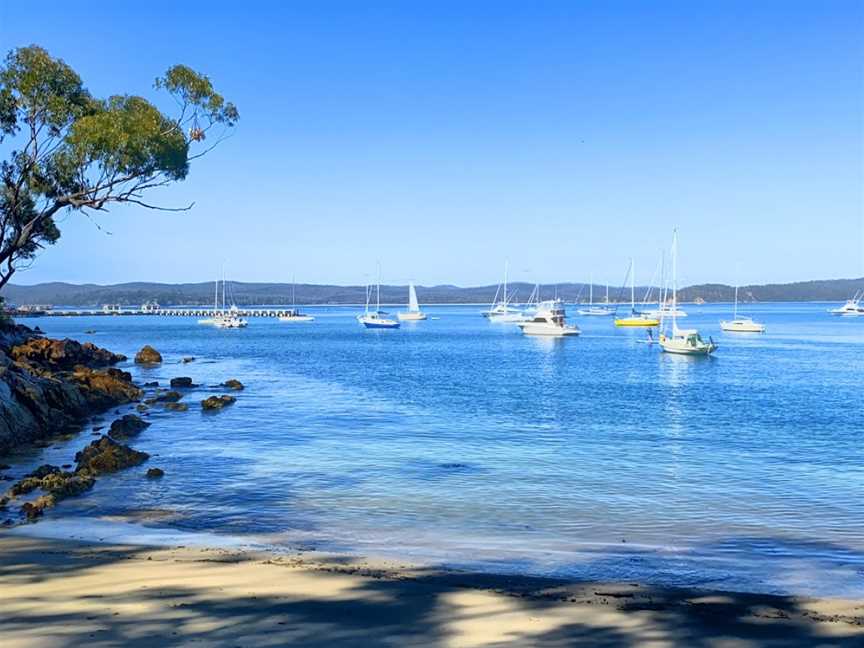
(445, 137)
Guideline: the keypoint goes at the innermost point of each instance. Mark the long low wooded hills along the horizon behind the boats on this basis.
(93, 295)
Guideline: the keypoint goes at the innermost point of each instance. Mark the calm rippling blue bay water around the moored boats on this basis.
(462, 442)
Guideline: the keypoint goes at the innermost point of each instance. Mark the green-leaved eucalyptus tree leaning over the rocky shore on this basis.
(69, 150)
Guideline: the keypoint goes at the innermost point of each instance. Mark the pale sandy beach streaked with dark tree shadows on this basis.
(64, 593)
